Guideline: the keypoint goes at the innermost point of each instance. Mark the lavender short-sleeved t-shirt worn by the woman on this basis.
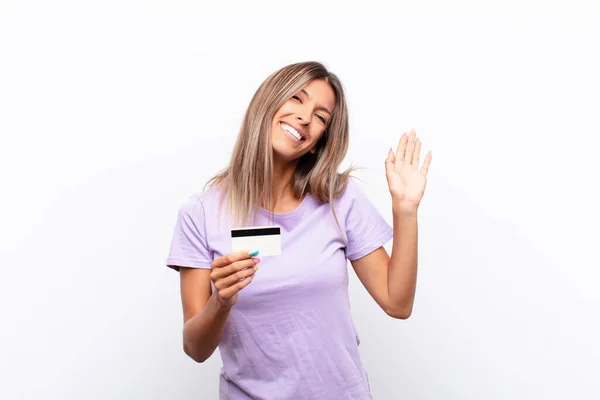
(290, 335)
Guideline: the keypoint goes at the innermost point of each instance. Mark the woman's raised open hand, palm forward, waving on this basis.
(405, 180)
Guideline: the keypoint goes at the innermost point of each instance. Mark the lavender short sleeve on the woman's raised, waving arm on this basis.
(366, 229)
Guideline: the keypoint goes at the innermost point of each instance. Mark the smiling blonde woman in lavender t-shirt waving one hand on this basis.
(285, 331)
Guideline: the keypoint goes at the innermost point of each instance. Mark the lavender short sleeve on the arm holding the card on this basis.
(189, 247)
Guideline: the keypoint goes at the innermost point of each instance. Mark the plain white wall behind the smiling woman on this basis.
(112, 113)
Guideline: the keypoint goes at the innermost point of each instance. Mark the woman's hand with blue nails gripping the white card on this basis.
(231, 273)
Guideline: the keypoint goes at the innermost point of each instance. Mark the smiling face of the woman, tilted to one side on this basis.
(301, 121)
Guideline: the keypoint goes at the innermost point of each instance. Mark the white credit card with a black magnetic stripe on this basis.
(265, 239)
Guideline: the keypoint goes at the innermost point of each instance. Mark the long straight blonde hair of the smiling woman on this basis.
(248, 181)
